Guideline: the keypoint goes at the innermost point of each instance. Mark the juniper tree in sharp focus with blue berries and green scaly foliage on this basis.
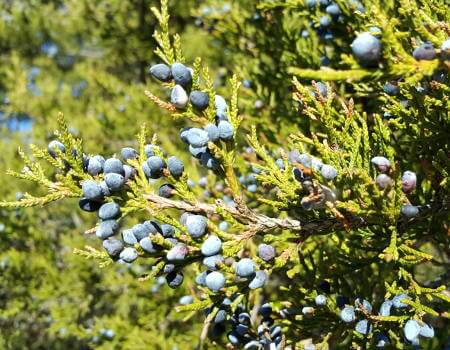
(321, 221)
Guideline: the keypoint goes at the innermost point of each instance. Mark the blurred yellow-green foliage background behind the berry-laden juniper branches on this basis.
(88, 60)
